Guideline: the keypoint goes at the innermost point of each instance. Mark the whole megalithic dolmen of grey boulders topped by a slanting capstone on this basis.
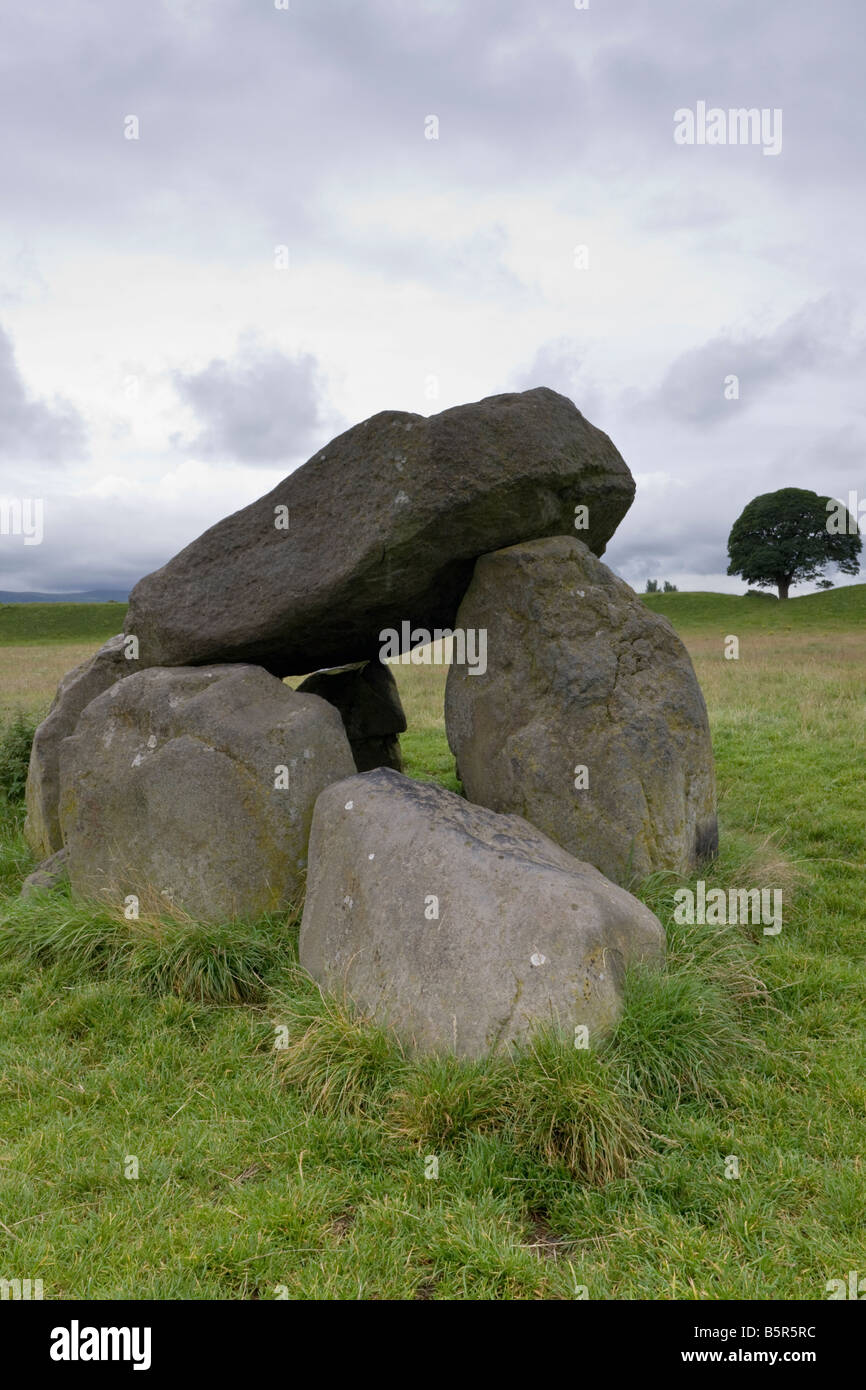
(179, 771)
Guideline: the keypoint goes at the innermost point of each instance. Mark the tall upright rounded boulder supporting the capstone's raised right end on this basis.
(589, 721)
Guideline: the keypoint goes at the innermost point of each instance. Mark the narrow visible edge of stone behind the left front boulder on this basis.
(76, 692)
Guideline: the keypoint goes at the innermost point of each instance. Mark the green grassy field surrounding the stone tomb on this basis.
(301, 1172)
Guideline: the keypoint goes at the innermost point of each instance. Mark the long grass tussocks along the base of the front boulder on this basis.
(554, 1103)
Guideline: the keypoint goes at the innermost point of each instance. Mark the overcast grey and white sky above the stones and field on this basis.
(159, 366)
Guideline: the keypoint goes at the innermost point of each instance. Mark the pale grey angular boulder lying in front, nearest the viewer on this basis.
(461, 929)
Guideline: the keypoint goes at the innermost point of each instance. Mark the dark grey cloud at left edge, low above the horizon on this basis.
(30, 429)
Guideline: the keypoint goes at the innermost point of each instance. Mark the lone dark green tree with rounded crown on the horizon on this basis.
(783, 539)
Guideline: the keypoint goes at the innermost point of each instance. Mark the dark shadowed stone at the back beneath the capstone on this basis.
(369, 701)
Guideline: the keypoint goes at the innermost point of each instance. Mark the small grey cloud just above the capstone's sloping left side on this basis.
(261, 407)
